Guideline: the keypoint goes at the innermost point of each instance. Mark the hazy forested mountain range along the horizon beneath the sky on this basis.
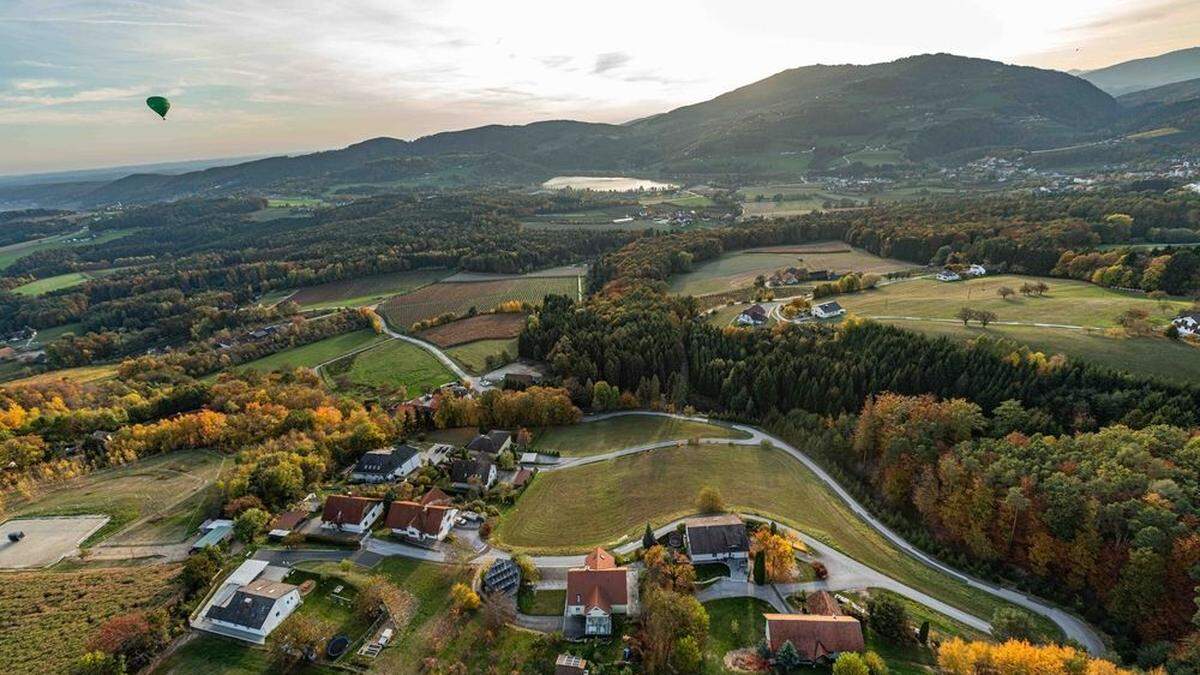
(935, 109)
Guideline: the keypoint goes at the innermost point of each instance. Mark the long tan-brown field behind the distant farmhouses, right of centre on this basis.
(739, 270)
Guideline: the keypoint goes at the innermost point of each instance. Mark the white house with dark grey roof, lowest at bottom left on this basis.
(250, 605)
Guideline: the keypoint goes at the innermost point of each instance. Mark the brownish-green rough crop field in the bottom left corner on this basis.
(49, 618)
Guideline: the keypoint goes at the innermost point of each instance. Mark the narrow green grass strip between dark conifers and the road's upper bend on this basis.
(617, 433)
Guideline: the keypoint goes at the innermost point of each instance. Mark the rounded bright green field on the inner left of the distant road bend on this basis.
(389, 367)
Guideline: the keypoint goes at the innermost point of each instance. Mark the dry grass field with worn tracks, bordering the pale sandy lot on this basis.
(157, 500)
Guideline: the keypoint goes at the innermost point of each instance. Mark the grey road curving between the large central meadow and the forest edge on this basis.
(1072, 626)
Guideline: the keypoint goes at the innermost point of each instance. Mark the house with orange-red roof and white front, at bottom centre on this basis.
(596, 593)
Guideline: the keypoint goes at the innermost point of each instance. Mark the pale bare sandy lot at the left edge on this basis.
(47, 540)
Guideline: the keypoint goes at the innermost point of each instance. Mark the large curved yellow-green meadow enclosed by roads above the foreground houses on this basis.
(608, 503)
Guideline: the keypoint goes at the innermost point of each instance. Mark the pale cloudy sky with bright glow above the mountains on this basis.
(250, 77)
